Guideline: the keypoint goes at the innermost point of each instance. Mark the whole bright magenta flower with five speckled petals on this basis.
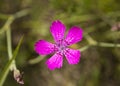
(60, 47)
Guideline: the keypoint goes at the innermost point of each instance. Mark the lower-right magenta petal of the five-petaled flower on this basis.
(72, 56)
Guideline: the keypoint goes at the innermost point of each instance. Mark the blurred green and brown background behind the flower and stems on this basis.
(99, 66)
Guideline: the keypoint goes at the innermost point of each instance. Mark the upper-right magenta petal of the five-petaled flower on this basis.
(75, 35)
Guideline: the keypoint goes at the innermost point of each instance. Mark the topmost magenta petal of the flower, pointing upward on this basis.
(57, 29)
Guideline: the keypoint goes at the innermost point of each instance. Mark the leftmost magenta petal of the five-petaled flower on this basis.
(43, 47)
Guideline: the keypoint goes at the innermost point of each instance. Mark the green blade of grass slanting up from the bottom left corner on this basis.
(7, 67)
